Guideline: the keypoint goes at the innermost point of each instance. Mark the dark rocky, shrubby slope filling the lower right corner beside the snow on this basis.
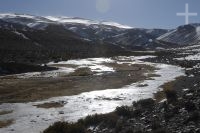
(175, 111)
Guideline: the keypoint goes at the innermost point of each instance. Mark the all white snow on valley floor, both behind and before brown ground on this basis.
(29, 118)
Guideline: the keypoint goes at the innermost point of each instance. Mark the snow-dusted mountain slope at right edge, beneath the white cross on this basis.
(184, 41)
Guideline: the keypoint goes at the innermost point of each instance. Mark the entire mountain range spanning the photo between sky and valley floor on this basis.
(81, 38)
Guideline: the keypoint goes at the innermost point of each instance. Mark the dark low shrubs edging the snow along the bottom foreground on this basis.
(110, 120)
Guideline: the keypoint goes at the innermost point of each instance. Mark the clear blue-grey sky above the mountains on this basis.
(135, 13)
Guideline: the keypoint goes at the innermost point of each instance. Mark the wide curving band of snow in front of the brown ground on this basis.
(28, 118)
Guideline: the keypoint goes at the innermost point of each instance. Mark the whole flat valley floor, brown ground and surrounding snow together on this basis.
(96, 85)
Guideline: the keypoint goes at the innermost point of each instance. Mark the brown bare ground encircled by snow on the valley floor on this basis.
(14, 90)
